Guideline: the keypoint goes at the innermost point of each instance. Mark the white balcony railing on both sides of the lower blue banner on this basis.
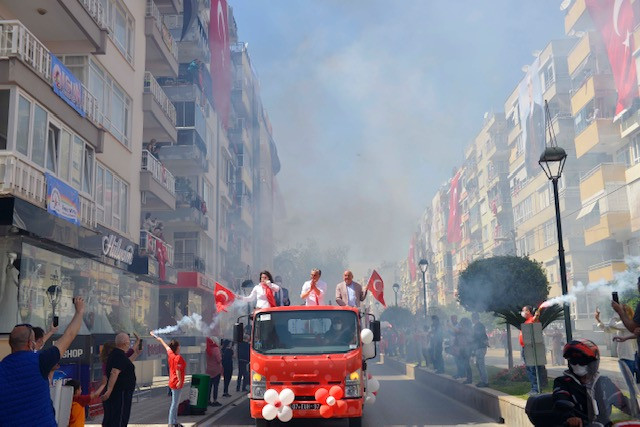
(22, 179)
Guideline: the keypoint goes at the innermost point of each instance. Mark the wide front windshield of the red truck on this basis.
(305, 332)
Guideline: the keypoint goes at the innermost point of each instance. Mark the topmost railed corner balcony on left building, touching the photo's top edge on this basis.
(162, 50)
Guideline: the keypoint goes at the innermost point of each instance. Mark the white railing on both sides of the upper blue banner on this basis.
(17, 41)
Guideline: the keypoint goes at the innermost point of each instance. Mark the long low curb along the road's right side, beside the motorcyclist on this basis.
(502, 407)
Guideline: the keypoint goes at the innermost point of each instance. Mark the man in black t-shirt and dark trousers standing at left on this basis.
(121, 383)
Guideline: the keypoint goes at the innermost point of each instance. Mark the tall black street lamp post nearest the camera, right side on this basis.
(552, 162)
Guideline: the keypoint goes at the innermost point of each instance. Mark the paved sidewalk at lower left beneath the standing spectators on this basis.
(151, 408)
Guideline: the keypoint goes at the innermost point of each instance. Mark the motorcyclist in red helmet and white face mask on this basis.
(581, 388)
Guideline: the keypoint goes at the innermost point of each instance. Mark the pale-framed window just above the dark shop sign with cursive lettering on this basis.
(112, 199)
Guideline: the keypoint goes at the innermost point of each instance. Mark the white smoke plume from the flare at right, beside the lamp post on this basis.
(623, 281)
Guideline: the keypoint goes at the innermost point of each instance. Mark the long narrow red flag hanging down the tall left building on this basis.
(220, 59)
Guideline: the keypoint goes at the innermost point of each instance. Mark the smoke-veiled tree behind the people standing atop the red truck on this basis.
(295, 264)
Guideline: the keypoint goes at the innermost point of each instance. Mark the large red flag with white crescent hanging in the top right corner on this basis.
(615, 21)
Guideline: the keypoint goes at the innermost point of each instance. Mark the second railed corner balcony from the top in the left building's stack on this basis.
(159, 112)
